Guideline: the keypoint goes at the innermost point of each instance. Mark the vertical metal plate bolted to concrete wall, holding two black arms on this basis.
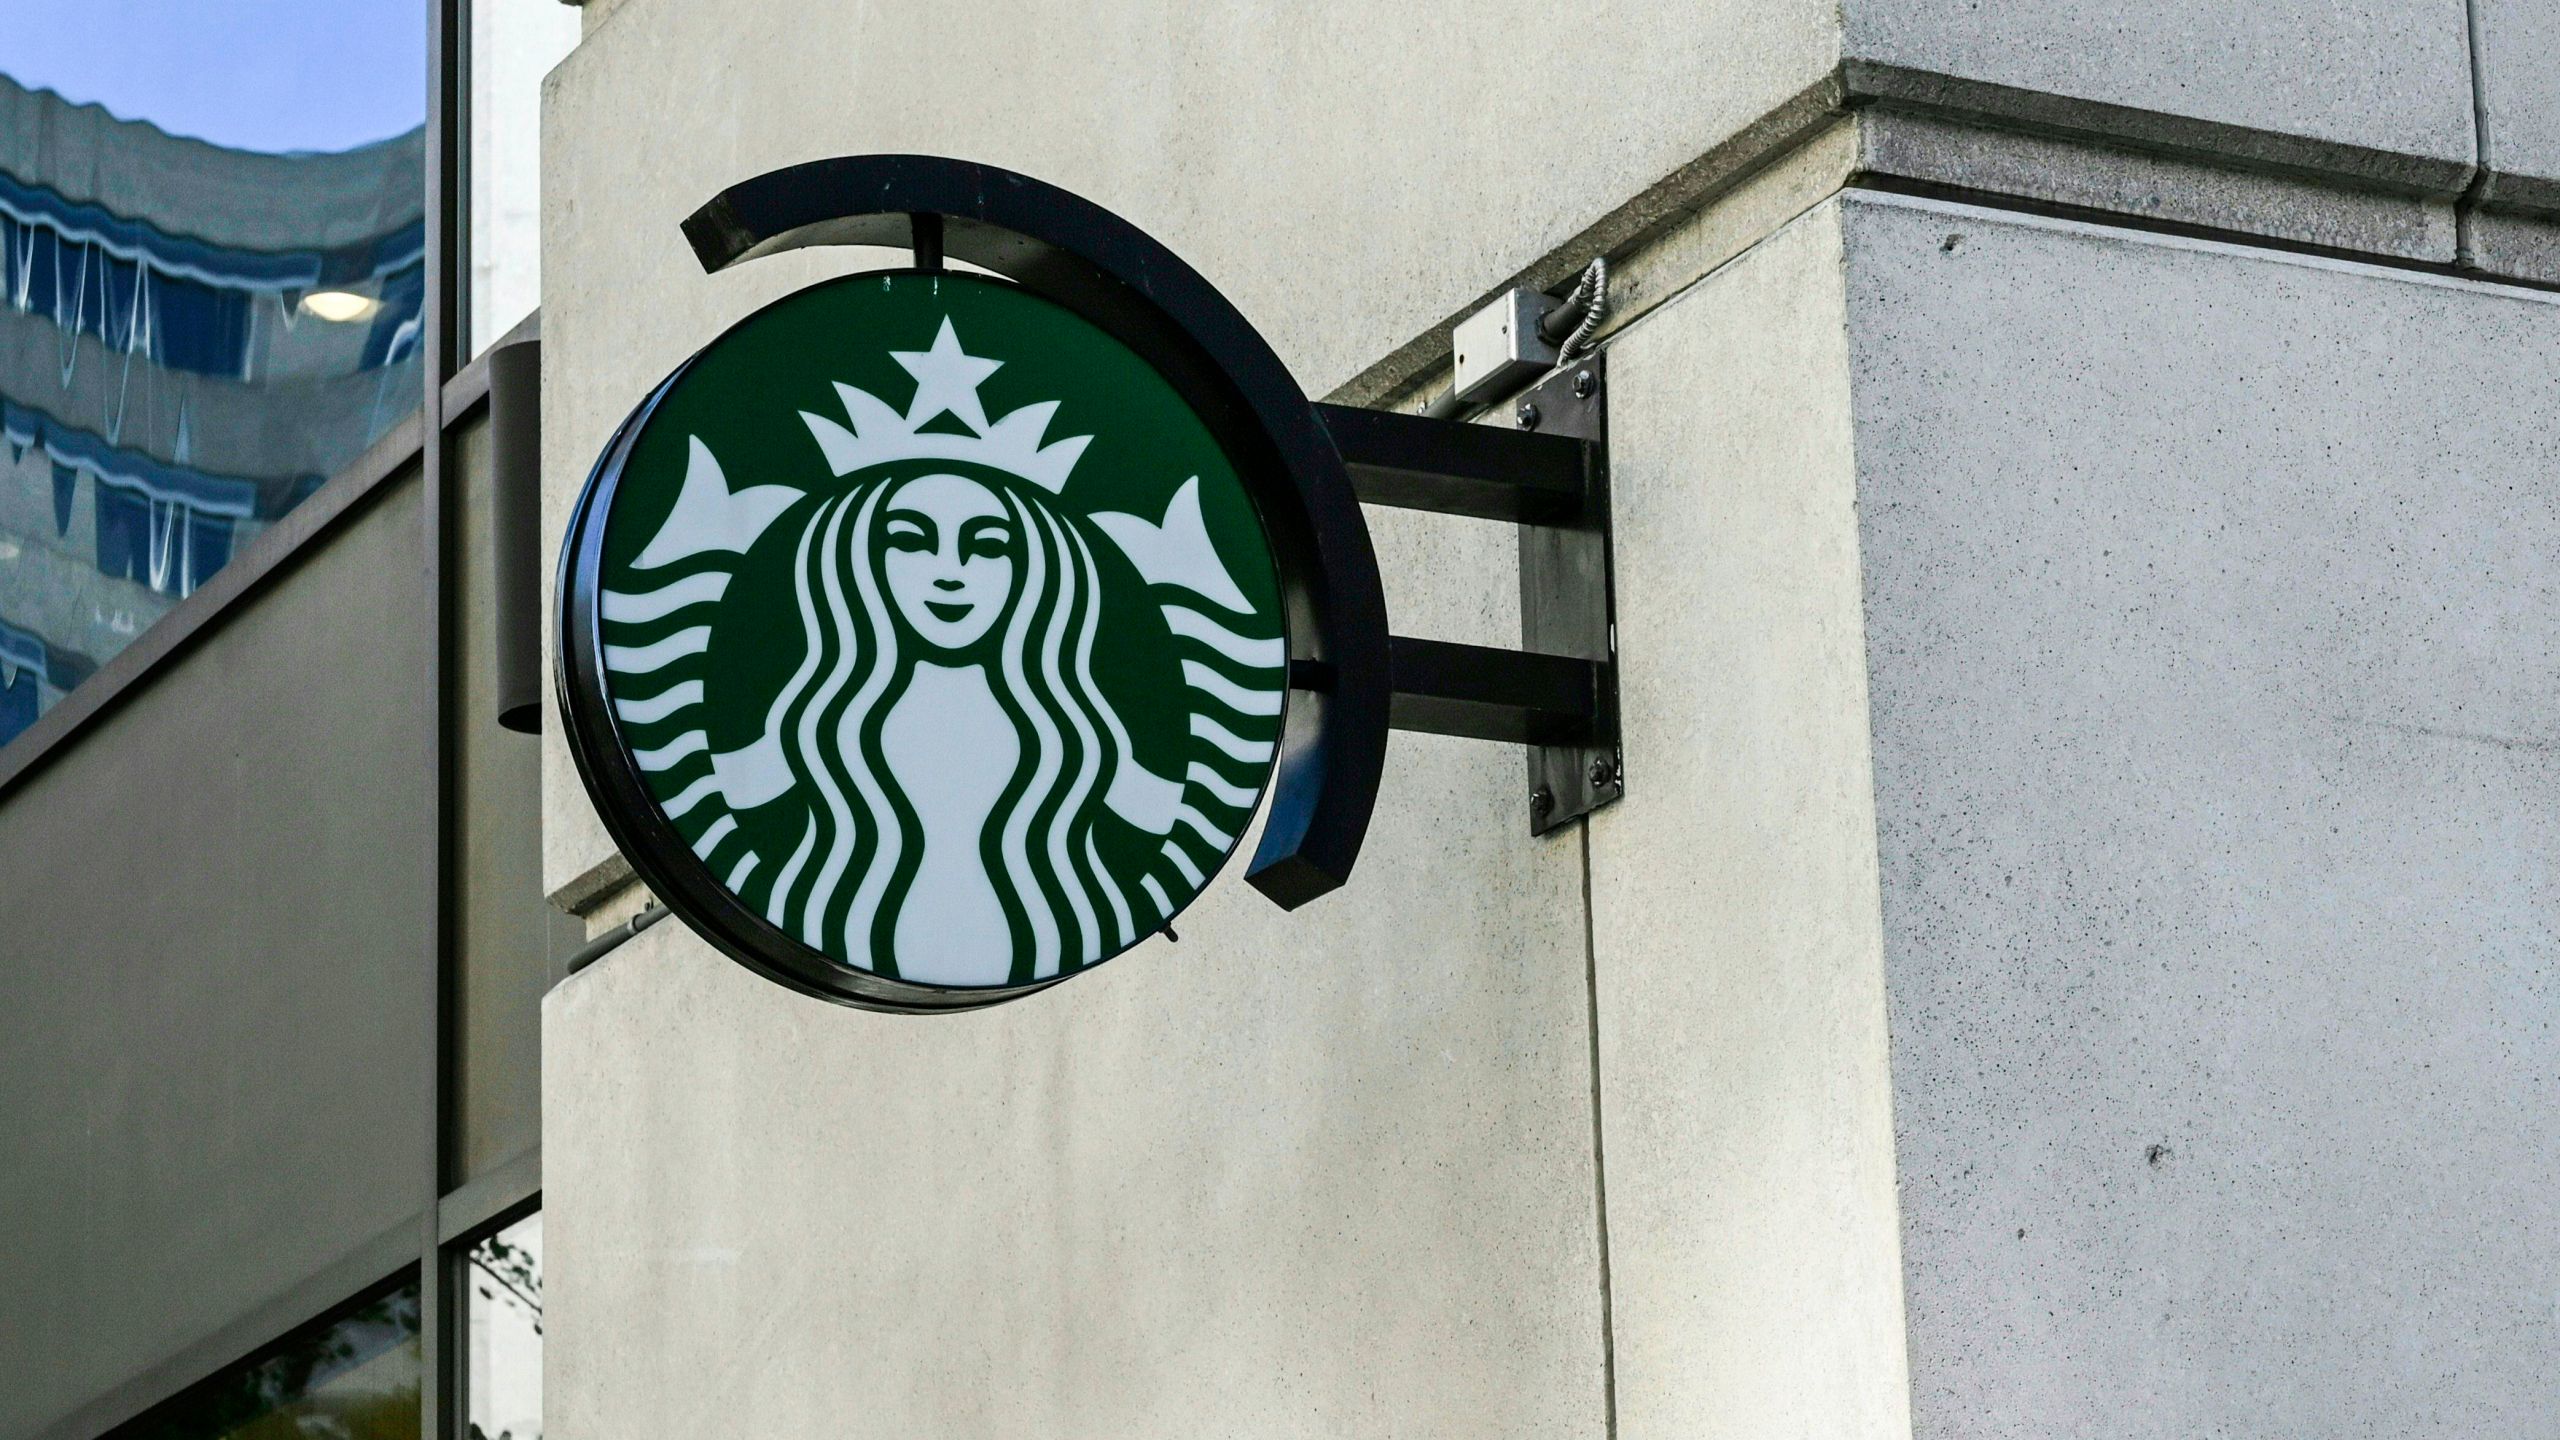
(1568, 603)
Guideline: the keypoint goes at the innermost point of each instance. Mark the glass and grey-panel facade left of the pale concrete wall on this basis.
(268, 860)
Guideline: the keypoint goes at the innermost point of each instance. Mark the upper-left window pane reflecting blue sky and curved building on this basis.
(211, 286)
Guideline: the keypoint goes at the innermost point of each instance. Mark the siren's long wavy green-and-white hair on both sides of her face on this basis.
(859, 857)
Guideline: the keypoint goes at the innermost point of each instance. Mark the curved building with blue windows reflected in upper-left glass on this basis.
(193, 340)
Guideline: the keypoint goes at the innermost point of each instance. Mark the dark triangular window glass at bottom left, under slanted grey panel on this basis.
(347, 1380)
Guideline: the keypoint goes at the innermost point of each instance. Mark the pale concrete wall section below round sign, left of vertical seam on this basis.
(1299, 1175)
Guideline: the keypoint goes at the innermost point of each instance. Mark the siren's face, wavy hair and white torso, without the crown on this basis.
(956, 744)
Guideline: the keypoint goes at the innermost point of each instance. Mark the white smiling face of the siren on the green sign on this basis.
(951, 560)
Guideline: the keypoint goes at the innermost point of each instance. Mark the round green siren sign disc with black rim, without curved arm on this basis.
(928, 647)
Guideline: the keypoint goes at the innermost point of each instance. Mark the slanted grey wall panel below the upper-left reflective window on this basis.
(214, 908)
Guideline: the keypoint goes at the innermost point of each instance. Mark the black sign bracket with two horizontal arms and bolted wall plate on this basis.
(1548, 473)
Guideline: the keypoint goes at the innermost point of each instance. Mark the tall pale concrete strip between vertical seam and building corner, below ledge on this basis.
(1734, 890)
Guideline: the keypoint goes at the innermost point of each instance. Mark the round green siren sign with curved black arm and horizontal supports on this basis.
(938, 634)
